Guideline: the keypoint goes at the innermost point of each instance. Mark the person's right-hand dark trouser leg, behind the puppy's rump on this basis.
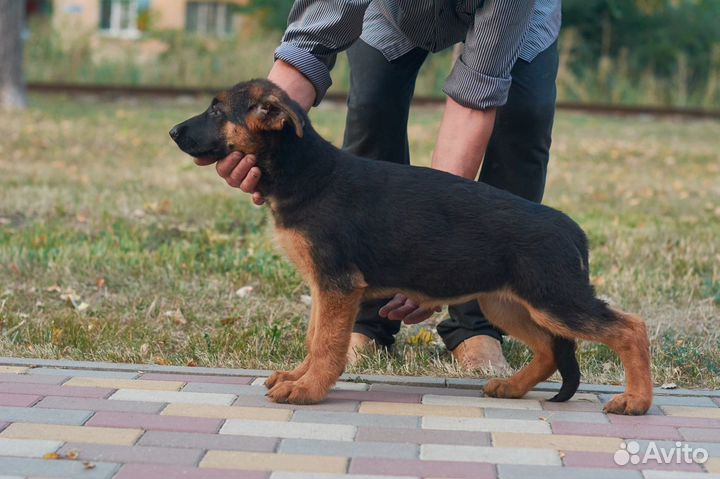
(516, 160)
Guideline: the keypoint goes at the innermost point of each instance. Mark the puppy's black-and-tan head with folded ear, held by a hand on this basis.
(248, 118)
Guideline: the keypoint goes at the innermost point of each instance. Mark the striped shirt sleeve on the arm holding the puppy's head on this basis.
(317, 30)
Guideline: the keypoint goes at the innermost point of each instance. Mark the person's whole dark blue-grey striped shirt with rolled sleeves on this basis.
(495, 32)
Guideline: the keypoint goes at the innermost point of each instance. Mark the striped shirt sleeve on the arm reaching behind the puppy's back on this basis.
(480, 78)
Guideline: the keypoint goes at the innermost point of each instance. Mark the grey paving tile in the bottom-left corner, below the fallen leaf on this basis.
(31, 467)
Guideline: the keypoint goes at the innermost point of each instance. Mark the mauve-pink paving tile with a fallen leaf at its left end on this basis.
(142, 454)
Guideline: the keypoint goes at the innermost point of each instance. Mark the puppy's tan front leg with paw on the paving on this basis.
(332, 329)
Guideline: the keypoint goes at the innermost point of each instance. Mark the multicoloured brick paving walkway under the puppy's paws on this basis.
(102, 420)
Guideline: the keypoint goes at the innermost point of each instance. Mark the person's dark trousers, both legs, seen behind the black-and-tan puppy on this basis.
(516, 158)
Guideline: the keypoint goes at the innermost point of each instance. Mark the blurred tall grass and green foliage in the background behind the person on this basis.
(631, 52)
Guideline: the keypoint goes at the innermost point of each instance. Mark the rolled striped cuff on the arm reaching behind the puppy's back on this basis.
(473, 89)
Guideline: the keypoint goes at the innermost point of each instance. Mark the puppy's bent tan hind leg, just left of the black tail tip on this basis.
(515, 320)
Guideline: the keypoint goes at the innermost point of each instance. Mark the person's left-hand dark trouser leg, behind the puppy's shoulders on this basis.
(376, 128)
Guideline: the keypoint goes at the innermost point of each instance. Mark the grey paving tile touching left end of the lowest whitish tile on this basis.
(349, 449)
